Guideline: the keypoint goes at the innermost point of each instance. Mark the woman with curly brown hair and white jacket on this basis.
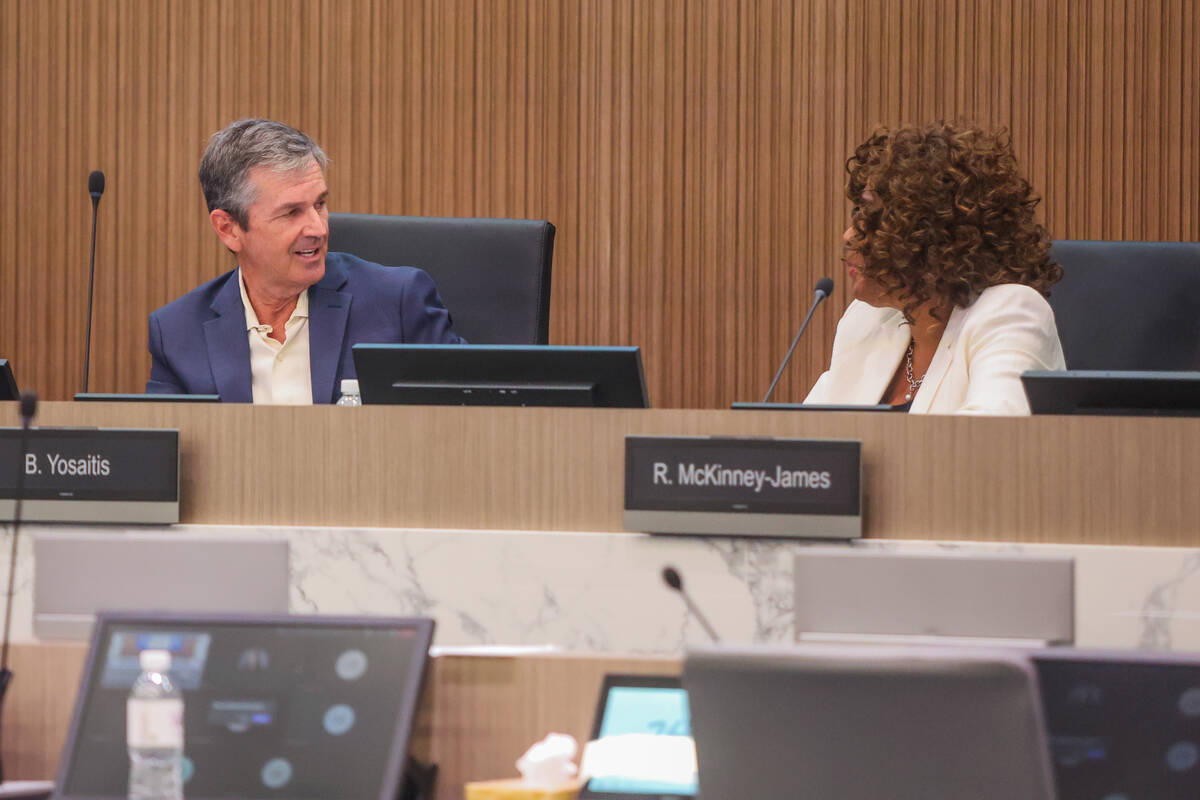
(950, 274)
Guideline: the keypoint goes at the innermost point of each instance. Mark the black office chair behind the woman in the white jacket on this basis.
(1129, 305)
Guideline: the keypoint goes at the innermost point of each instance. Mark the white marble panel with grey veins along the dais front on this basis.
(604, 593)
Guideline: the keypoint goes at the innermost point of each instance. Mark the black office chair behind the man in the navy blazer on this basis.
(494, 275)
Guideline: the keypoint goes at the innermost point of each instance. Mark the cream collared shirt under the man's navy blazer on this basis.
(281, 375)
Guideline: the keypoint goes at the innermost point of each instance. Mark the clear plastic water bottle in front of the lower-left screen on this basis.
(154, 731)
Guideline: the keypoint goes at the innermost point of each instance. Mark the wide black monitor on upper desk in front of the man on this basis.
(500, 375)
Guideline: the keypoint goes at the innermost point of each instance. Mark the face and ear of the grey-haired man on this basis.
(283, 251)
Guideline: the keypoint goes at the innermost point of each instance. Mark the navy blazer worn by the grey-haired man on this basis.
(200, 344)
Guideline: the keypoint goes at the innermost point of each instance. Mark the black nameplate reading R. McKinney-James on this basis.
(770, 488)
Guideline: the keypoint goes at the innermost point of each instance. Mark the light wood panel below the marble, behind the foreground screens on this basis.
(477, 717)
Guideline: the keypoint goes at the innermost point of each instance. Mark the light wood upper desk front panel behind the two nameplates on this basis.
(1087, 480)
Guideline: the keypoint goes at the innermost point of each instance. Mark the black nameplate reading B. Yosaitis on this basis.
(92, 476)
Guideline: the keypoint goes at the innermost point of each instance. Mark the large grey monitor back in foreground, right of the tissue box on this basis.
(869, 721)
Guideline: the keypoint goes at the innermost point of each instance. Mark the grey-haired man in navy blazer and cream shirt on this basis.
(279, 328)
